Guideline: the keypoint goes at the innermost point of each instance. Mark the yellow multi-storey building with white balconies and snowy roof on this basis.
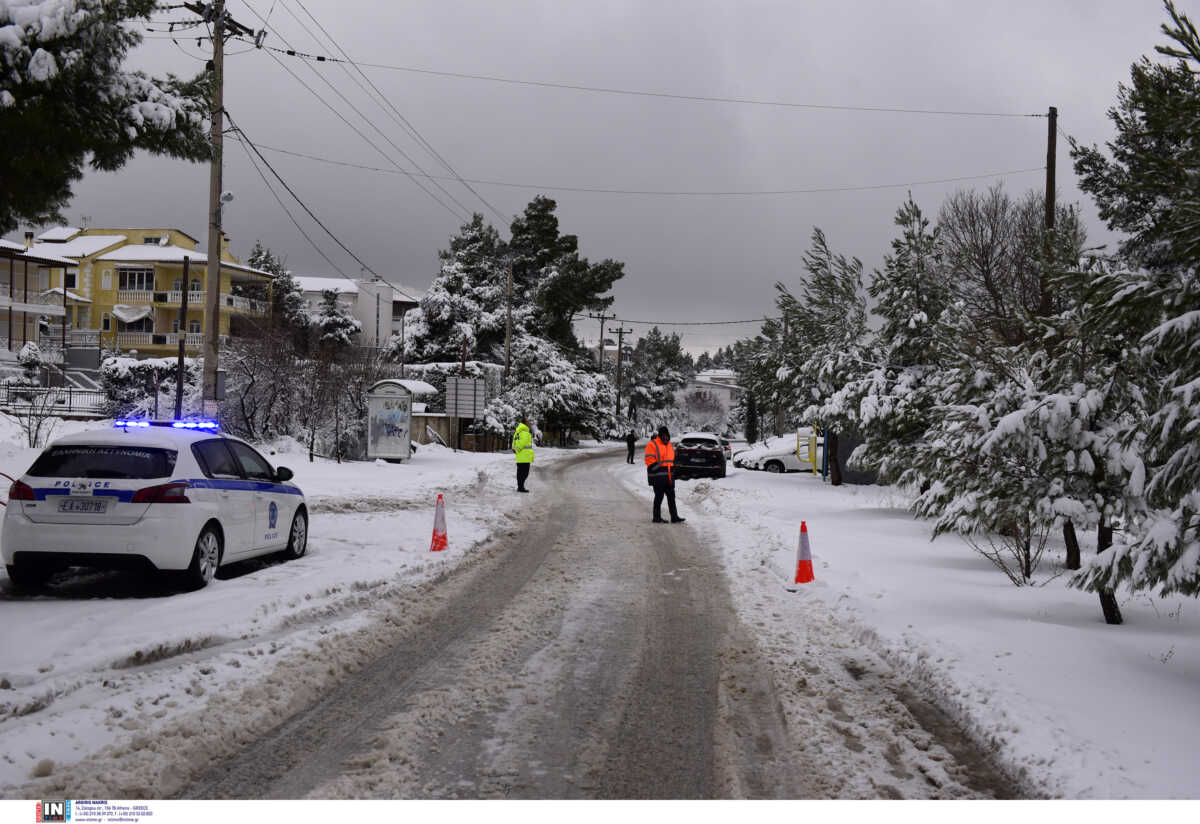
(128, 286)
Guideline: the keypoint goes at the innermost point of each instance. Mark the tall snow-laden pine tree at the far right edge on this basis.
(1151, 190)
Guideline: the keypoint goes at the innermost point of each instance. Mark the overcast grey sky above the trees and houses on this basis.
(687, 258)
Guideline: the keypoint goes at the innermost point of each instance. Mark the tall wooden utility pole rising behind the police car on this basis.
(215, 14)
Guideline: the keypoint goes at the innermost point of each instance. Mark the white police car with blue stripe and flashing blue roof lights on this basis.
(172, 496)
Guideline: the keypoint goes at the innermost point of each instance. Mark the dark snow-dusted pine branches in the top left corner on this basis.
(65, 101)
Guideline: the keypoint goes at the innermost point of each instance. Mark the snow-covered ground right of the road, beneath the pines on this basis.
(1079, 708)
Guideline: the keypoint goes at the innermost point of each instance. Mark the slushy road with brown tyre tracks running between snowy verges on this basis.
(595, 655)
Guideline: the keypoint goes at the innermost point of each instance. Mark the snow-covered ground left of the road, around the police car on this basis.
(107, 661)
